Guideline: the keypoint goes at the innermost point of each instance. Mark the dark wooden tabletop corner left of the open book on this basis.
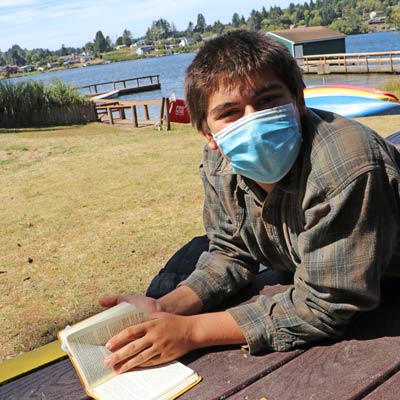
(56, 382)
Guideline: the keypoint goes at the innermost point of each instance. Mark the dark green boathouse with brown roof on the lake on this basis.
(312, 40)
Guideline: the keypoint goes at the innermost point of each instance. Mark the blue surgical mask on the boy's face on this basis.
(264, 145)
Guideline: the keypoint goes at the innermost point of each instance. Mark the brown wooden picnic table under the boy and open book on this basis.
(364, 364)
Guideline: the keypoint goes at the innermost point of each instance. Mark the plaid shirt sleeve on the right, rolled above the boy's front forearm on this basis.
(348, 240)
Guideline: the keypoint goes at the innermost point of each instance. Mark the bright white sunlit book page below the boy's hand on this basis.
(159, 382)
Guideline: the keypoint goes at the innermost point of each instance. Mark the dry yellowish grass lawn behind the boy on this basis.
(87, 211)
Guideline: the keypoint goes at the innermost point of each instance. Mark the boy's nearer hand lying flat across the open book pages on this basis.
(165, 337)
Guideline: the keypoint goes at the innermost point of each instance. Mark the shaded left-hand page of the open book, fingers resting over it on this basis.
(87, 345)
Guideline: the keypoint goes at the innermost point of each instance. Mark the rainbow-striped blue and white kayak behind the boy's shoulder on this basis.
(352, 101)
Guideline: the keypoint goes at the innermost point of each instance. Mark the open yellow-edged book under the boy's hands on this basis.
(85, 345)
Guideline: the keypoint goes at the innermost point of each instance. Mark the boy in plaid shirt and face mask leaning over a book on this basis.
(302, 191)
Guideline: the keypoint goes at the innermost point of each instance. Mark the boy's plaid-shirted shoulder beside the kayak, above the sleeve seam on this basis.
(340, 149)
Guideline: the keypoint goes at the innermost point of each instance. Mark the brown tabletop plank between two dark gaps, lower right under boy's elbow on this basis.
(346, 370)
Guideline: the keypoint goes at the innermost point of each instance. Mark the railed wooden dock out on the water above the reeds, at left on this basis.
(122, 86)
